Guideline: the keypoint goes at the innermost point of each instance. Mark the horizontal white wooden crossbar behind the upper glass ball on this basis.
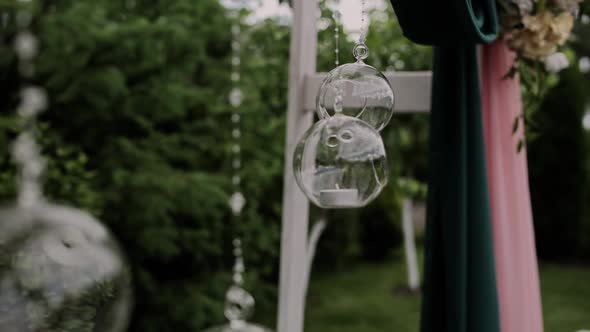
(412, 90)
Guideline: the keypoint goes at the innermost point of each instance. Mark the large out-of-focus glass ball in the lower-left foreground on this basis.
(60, 270)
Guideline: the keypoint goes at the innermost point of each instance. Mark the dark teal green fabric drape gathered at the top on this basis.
(459, 282)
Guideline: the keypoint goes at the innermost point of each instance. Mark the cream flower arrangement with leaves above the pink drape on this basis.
(537, 31)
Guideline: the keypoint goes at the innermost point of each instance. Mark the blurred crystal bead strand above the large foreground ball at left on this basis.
(26, 152)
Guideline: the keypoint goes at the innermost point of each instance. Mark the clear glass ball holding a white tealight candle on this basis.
(341, 163)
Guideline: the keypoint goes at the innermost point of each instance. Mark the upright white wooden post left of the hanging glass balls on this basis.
(302, 63)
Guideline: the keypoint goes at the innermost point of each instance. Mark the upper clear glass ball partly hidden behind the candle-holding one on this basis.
(358, 90)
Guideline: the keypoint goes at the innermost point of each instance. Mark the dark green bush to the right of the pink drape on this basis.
(557, 171)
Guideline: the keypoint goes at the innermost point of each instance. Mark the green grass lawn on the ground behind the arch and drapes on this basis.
(362, 298)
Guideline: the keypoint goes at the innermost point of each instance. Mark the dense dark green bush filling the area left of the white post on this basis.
(135, 133)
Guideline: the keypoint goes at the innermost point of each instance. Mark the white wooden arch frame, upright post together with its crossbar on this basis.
(412, 90)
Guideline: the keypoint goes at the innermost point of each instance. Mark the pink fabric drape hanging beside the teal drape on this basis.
(516, 259)
